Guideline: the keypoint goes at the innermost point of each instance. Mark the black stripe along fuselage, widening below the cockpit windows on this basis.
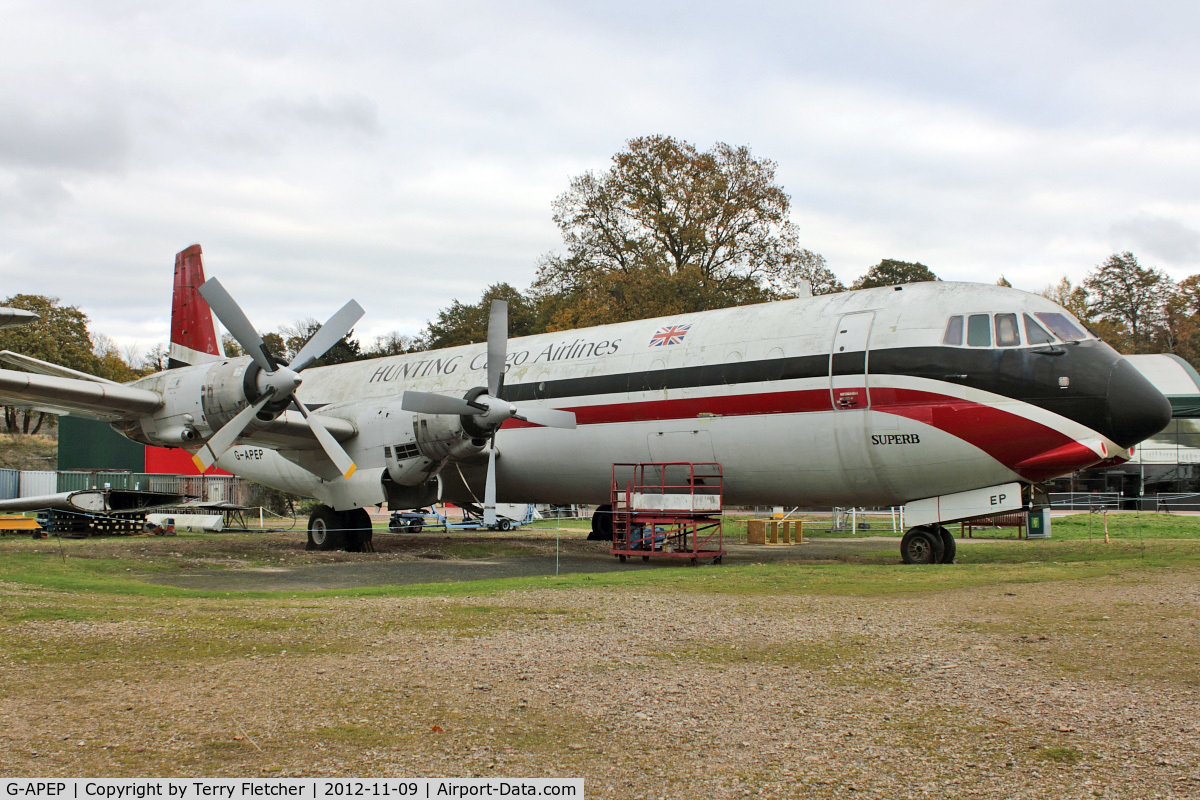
(1030, 376)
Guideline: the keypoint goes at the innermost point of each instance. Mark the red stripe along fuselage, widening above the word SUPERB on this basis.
(1007, 437)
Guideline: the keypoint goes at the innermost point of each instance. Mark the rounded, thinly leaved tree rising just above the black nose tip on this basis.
(1127, 294)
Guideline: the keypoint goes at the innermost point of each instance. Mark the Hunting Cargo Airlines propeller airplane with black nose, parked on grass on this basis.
(945, 398)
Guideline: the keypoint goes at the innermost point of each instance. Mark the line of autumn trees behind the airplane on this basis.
(667, 230)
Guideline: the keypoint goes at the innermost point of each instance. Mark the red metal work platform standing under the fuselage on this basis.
(668, 509)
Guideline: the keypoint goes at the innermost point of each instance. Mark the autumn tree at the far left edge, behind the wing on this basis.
(61, 338)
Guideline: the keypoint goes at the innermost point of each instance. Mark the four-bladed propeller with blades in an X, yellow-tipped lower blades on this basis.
(275, 381)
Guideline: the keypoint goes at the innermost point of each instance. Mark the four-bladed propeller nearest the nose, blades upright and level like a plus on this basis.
(484, 410)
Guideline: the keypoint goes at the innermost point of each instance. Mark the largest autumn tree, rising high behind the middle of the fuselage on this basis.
(669, 228)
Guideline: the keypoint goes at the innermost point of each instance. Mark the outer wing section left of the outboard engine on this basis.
(59, 395)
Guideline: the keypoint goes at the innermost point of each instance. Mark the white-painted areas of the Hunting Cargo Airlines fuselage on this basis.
(812, 458)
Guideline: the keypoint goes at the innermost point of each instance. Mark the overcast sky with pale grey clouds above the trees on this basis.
(407, 154)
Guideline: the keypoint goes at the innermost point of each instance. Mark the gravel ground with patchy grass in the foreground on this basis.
(1052, 690)
